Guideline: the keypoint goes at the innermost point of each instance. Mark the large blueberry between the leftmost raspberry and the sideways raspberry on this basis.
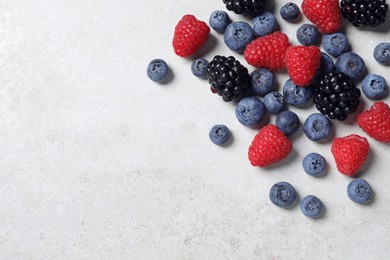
(238, 35)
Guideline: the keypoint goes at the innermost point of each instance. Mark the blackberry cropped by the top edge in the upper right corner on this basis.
(368, 13)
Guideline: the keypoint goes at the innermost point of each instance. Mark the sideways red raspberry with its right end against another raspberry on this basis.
(268, 51)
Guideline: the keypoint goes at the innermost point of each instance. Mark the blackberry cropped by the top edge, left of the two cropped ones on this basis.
(250, 8)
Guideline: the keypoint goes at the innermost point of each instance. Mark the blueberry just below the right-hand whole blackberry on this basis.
(317, 127)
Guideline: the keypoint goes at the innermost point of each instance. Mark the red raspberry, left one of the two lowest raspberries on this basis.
(269, 146)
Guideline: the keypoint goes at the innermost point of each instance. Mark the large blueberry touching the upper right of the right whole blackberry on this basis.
(351, 64)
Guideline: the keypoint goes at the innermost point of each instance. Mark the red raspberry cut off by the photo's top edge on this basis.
(325, 14)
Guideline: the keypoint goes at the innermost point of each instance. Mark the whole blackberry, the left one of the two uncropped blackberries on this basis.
(228, 78)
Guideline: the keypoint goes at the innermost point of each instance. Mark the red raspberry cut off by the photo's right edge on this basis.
(376, 121)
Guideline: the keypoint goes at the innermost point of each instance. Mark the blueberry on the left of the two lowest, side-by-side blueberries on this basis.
(282, 194)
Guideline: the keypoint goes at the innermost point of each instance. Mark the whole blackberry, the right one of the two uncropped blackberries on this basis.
(336, 95)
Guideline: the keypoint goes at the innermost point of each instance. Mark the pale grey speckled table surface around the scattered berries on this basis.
(99, 162)
